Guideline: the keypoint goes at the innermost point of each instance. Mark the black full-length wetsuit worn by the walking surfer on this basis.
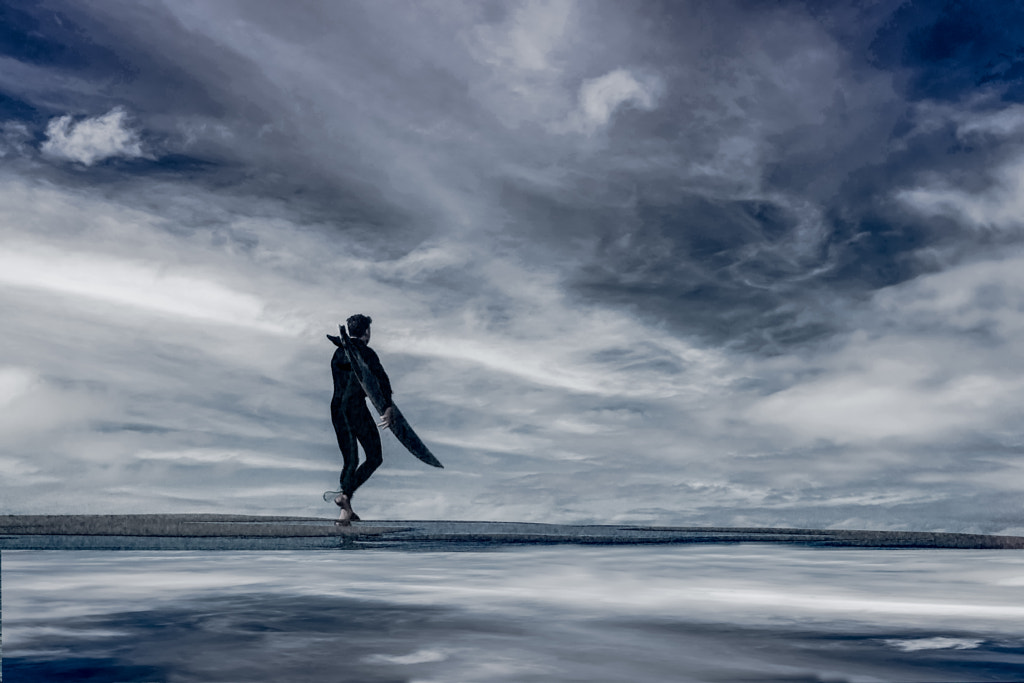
(353, 421)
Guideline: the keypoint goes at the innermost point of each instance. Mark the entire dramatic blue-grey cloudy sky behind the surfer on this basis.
(694, 263)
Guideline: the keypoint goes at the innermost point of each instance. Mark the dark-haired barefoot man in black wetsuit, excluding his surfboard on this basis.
(353, 421)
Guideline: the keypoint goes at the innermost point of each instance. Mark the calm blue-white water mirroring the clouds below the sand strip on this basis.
(748, 613)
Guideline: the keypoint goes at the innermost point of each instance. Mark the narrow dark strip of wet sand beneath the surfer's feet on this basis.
(218, 532)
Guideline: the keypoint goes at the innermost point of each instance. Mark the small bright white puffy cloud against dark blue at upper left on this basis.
(93, 140)
